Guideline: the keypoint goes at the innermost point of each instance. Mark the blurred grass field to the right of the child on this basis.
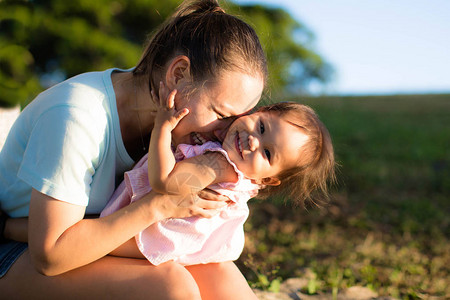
(387, 224)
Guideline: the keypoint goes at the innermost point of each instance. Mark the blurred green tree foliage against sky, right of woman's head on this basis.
(292, 63)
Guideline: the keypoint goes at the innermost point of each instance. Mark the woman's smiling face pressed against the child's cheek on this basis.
(210, 108)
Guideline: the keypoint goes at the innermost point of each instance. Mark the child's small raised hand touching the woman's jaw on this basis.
(166, 115)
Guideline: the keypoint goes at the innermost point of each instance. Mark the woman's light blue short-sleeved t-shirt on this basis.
(66, 144)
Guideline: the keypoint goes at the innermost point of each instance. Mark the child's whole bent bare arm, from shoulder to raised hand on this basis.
(186, 177)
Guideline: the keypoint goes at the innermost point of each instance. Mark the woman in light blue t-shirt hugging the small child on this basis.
(70, 146)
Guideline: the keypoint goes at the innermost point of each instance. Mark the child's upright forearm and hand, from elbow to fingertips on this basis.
(161, 160)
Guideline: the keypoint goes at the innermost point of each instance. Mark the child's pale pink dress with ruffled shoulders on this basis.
(192, 240)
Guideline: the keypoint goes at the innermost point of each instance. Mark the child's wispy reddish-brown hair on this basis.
(315, 168)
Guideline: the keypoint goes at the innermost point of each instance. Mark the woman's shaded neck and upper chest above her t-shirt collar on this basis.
(135, 107)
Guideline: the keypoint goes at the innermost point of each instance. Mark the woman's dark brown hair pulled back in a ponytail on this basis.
(213, 40)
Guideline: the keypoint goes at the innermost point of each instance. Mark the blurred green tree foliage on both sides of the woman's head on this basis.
(45, 41)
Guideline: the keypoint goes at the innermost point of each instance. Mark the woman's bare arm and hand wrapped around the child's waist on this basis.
(61, 240)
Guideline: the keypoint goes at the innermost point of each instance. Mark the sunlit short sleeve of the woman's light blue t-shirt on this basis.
(61, 154)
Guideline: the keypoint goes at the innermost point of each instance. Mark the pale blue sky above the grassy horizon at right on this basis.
(378, 46)
